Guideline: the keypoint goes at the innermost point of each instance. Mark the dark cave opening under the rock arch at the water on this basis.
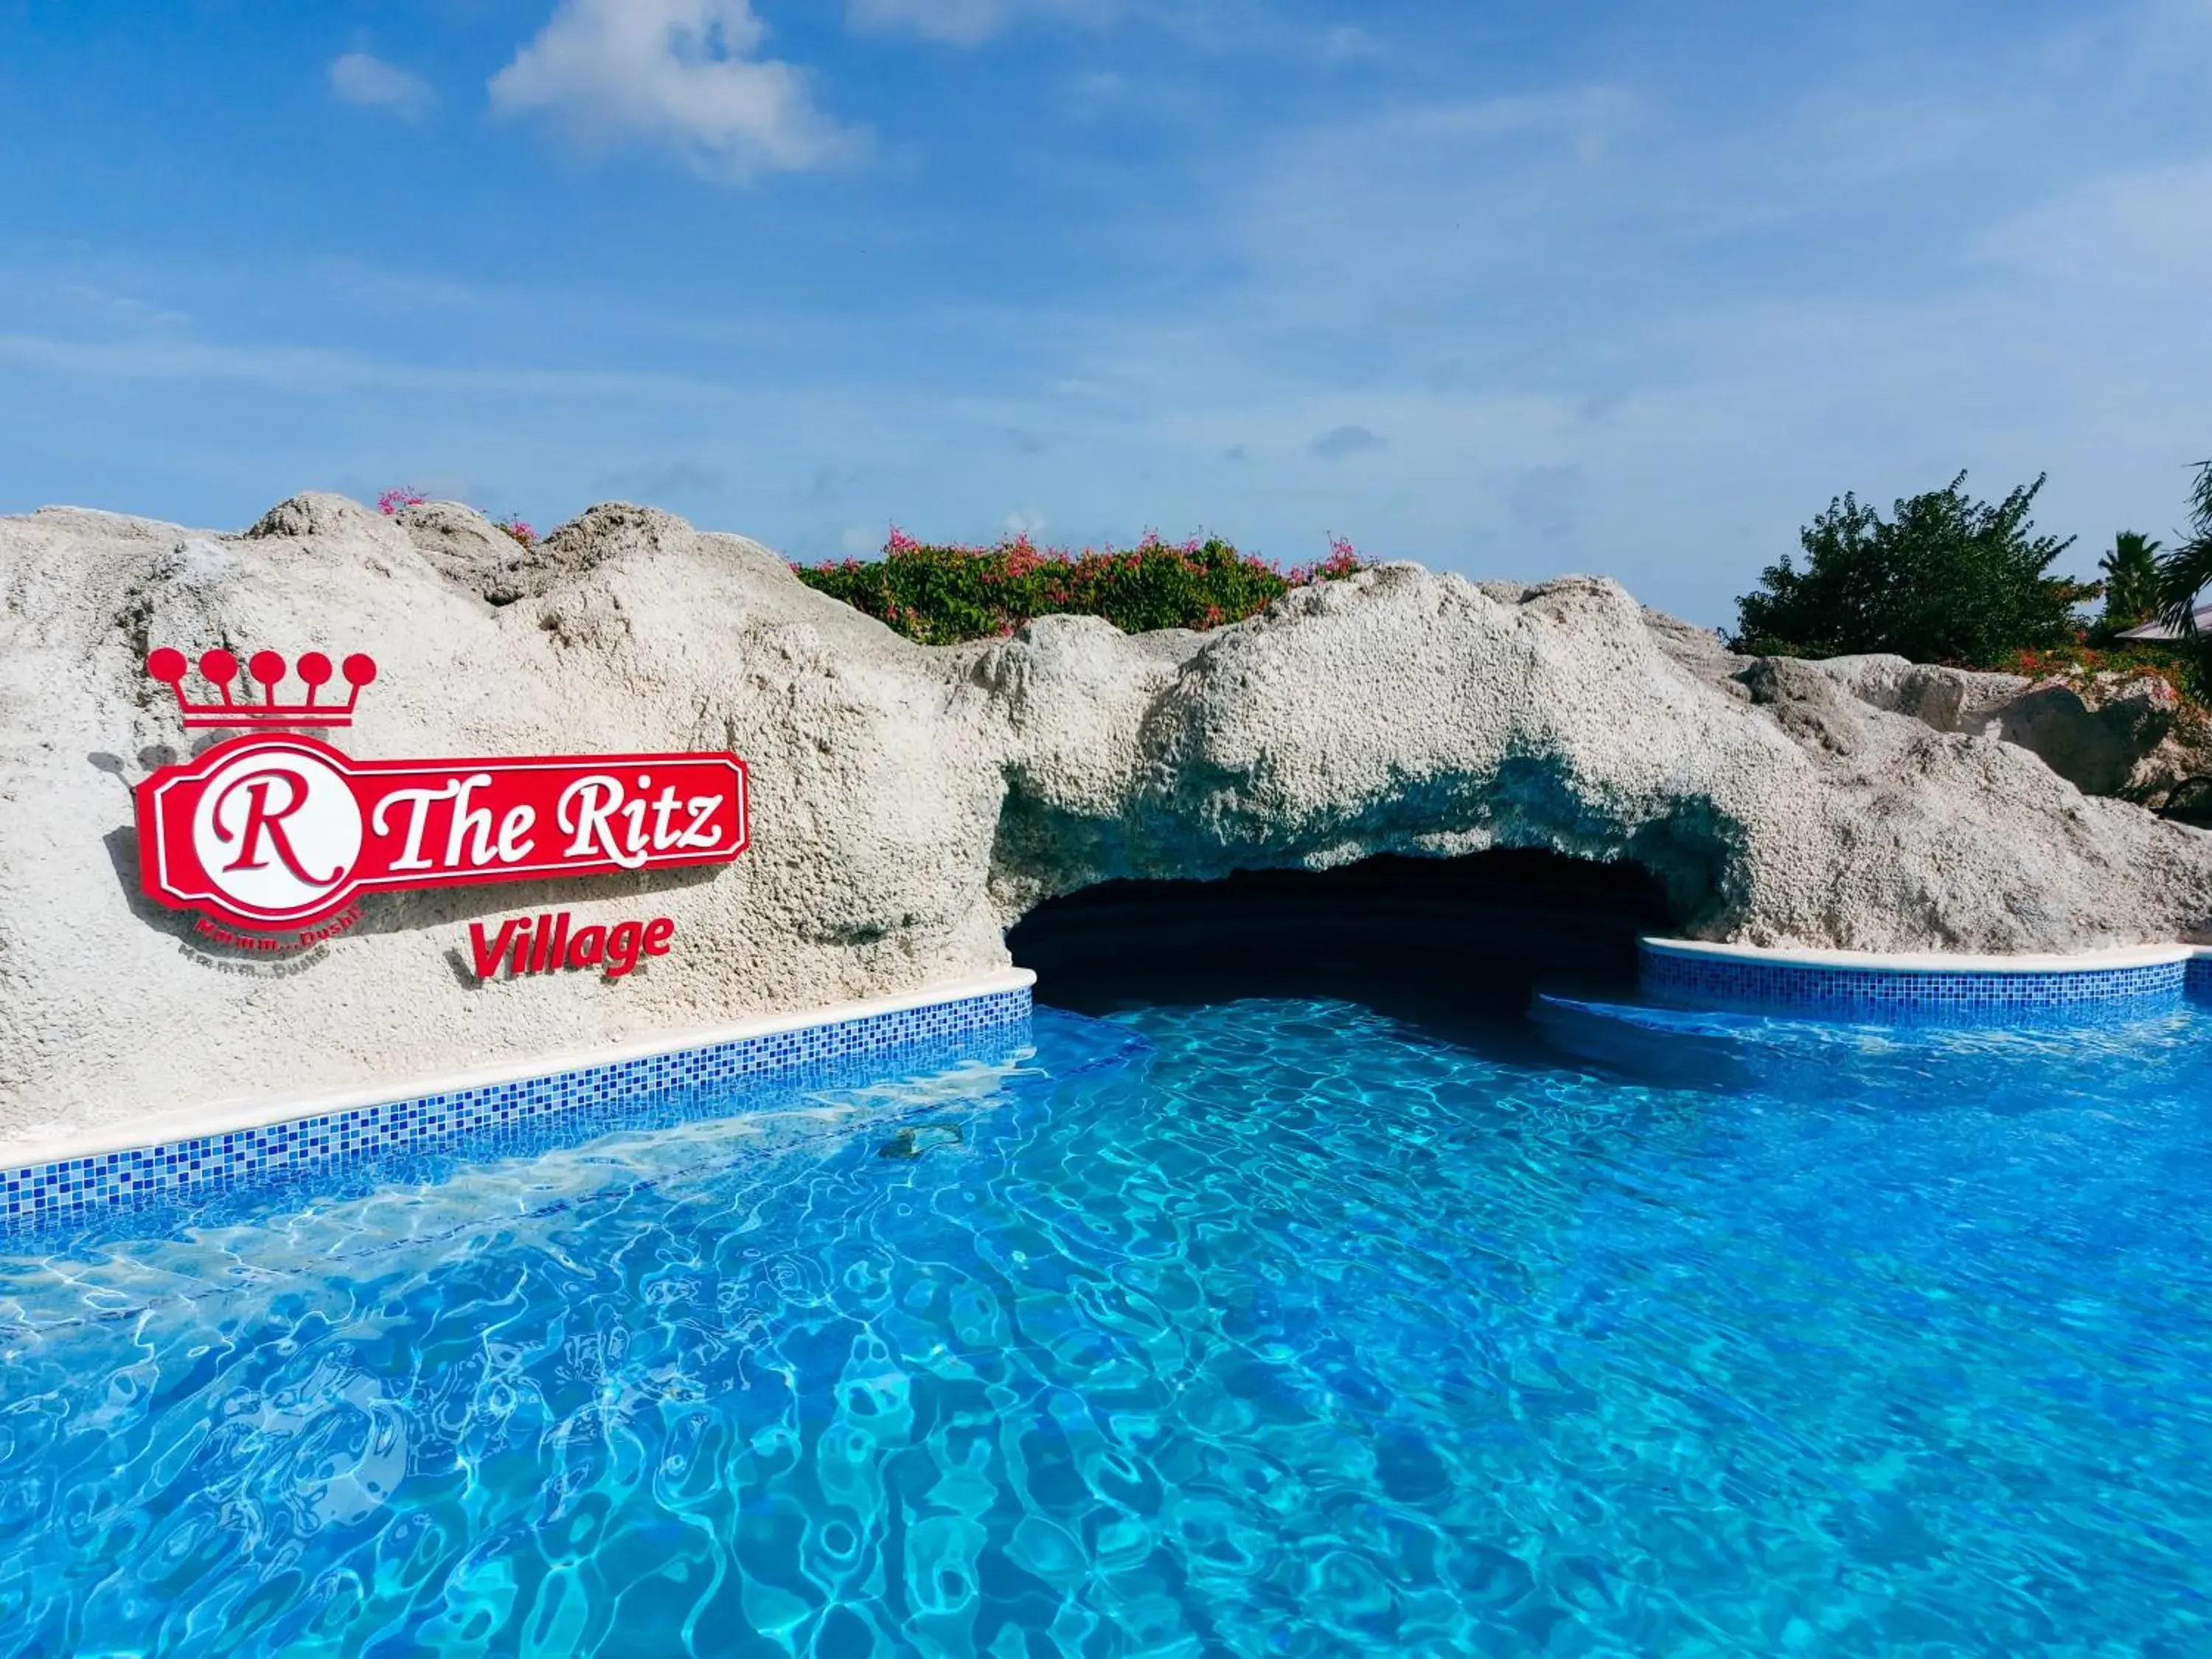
(1432, 941)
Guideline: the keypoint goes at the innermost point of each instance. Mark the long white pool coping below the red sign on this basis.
(233, 1116)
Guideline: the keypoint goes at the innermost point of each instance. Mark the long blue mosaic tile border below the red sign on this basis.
(508, 1116)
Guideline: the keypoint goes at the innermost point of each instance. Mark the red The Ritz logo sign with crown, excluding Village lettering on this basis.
(275, 828)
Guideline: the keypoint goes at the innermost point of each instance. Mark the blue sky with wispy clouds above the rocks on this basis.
(1507, 289)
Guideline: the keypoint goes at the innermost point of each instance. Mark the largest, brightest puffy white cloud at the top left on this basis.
(676, 74)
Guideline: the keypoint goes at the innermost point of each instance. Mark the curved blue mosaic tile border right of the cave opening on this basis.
(1917, 997)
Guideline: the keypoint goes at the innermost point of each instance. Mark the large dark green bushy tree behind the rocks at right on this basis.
(1945, 578)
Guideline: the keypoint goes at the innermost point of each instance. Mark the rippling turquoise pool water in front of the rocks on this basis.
(1269, 1328)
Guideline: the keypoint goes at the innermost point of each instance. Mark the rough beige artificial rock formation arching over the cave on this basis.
(912, 802)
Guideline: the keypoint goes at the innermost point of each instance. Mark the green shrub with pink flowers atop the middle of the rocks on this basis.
(948, 594)
